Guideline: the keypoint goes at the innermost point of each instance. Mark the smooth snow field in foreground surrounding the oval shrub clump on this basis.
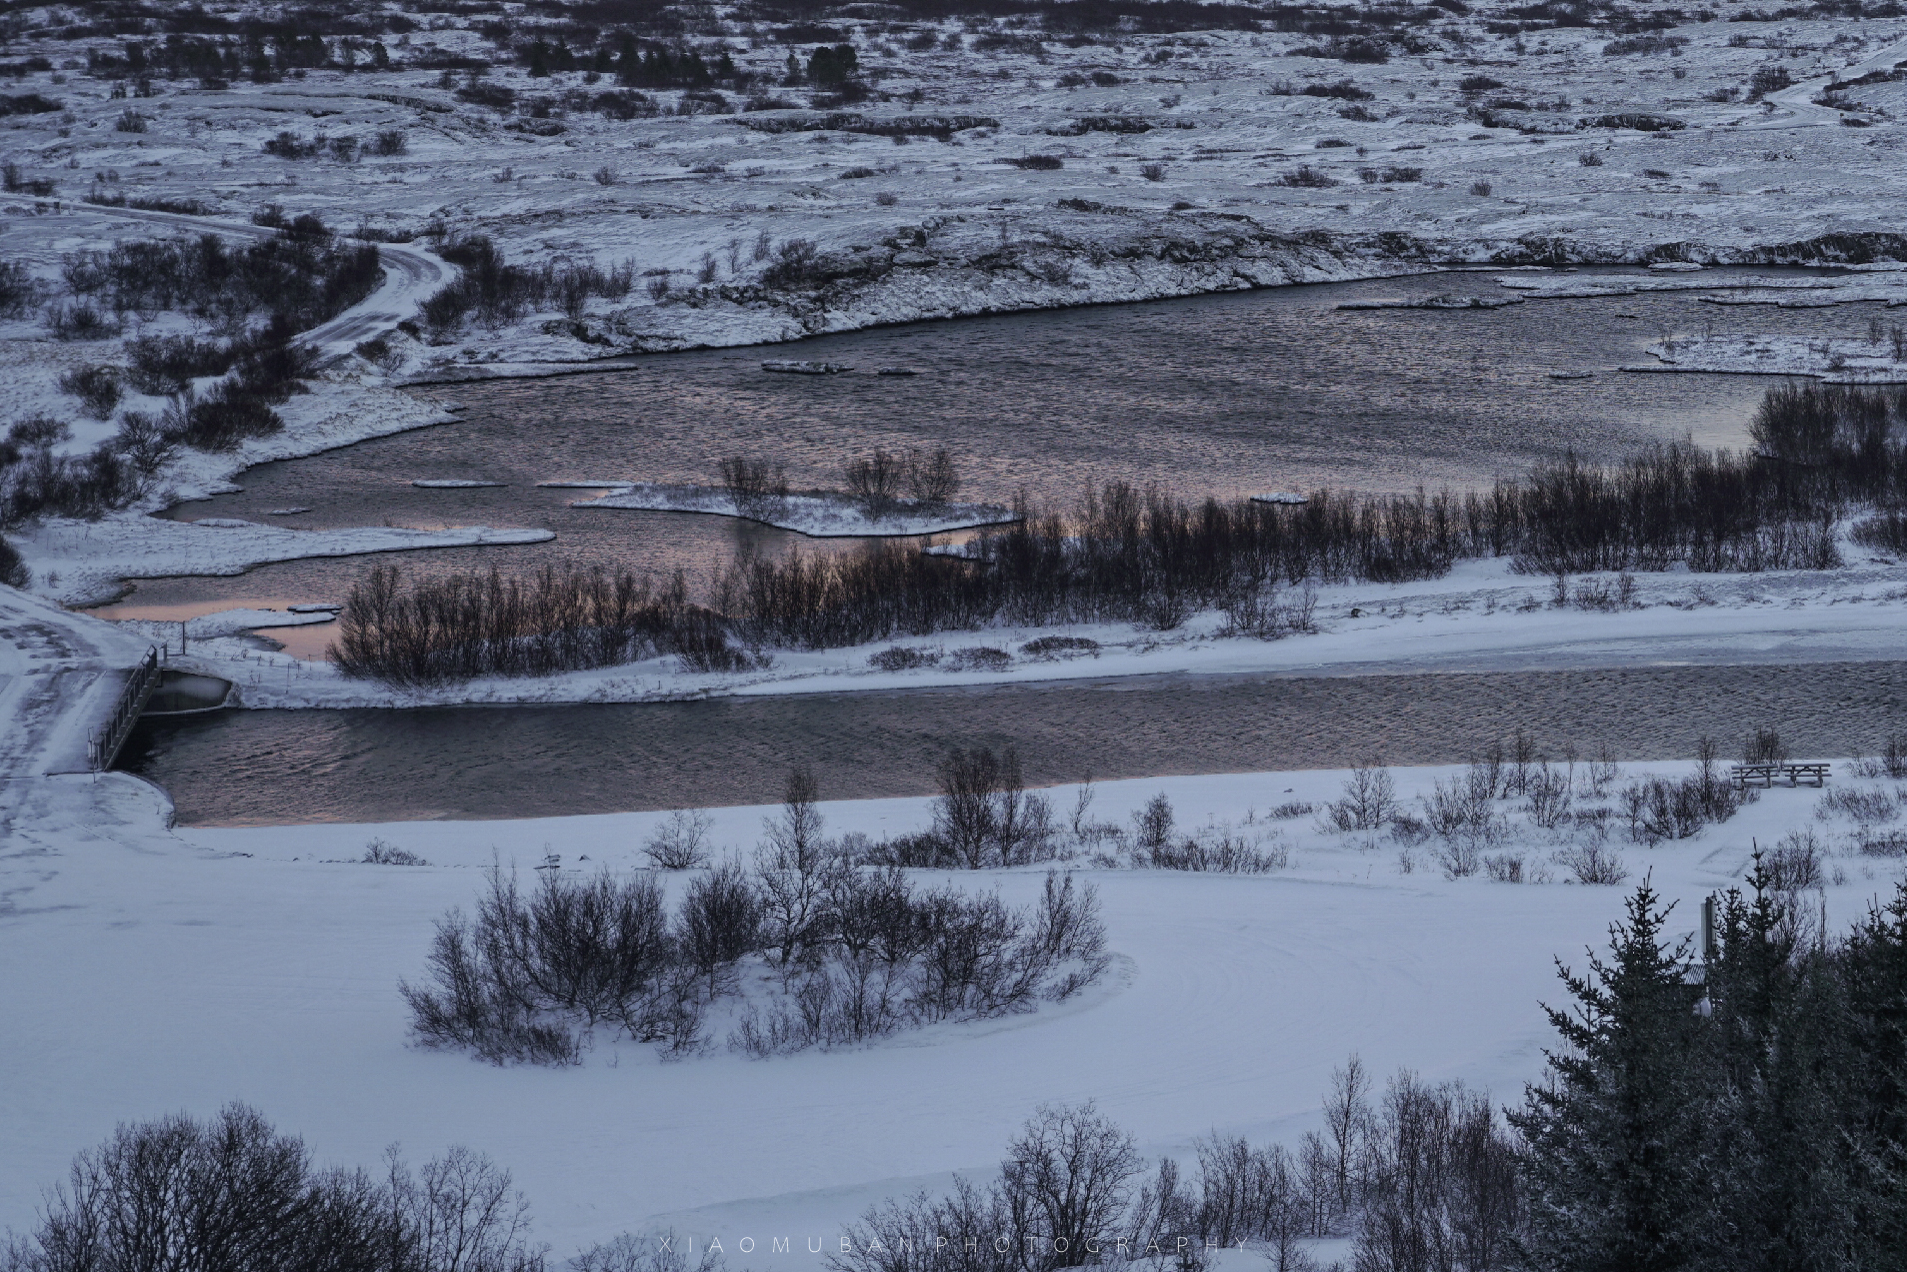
(163, 972)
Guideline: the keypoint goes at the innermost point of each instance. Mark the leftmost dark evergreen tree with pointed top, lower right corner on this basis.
(1616, 1166)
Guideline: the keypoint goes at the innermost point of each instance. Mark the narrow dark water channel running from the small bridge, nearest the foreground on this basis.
(277, 768)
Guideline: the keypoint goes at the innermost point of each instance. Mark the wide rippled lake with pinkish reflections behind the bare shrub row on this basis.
(1206, 396)
